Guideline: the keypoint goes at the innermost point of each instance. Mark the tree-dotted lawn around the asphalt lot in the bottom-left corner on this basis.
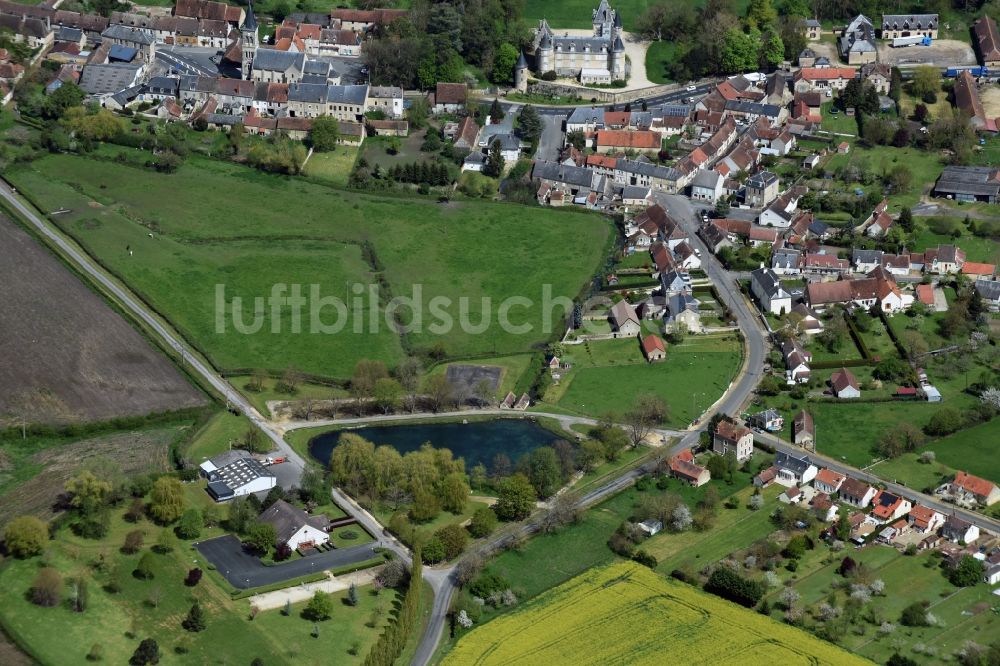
(155, 608)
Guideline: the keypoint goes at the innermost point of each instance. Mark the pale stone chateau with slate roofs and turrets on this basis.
(594, 59)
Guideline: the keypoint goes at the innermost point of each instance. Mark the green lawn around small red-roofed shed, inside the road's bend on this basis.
(608, 374)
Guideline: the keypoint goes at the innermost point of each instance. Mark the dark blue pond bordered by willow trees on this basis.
(477, 442)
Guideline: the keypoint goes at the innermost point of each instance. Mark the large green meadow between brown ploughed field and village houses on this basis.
(214, 228)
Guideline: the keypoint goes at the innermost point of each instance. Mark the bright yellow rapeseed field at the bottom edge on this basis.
(626, 614)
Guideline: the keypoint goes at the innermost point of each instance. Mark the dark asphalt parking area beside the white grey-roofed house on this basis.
(244, 570)
